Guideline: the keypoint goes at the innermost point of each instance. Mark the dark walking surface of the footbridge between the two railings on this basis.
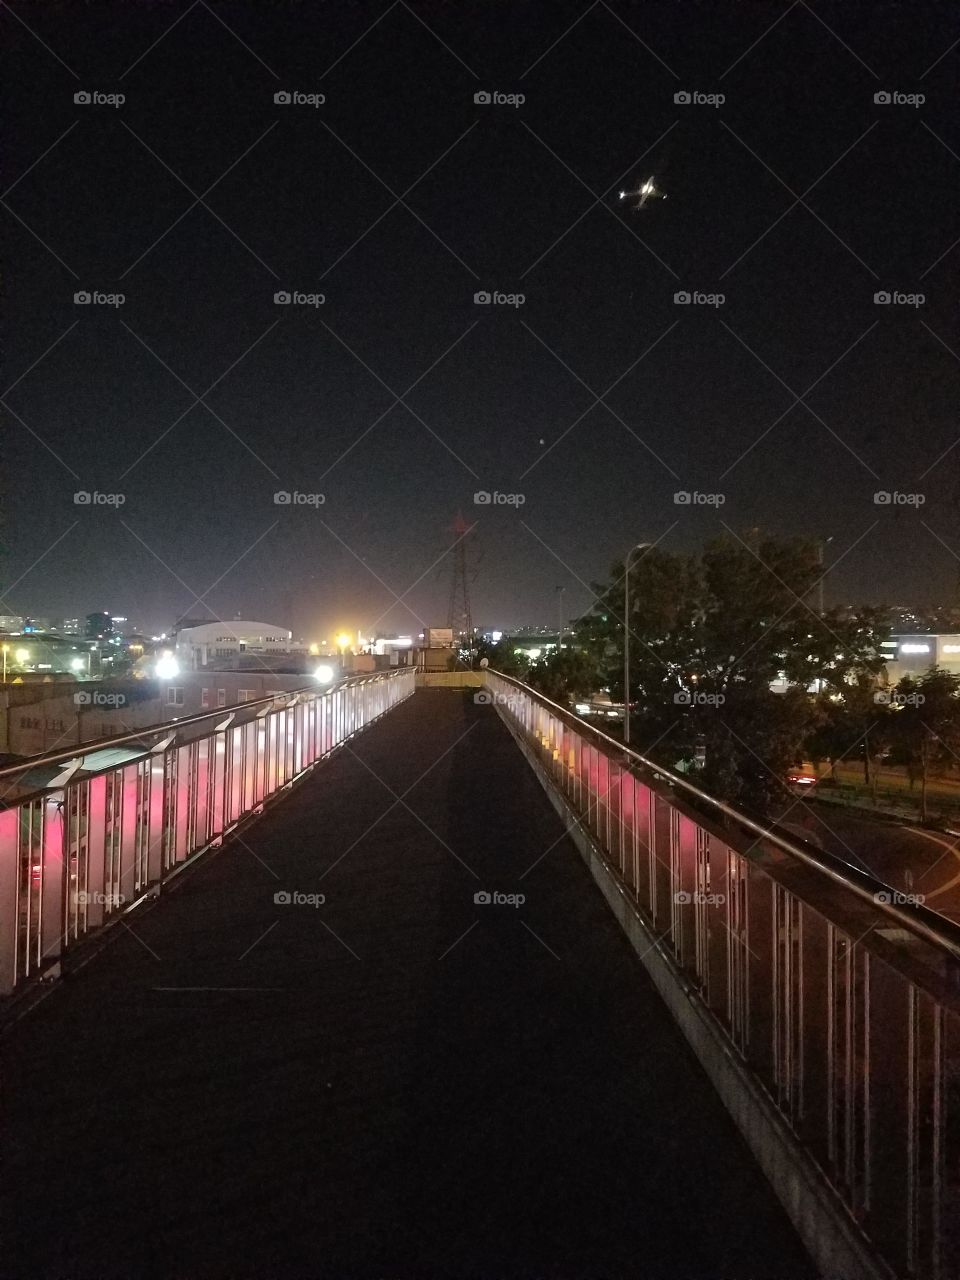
(399, 1084)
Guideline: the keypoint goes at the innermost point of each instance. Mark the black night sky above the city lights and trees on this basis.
(401, 198)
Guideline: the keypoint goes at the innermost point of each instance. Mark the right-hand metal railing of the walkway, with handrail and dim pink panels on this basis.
(836, 995)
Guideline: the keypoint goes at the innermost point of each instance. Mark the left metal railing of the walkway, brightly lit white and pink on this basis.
(98, 838)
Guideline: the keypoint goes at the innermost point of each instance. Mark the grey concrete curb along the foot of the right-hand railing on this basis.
(830, 1236)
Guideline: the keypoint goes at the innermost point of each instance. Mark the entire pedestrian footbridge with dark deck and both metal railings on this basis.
(441, 982)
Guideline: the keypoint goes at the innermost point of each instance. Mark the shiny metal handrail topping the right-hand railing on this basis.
(915, 917)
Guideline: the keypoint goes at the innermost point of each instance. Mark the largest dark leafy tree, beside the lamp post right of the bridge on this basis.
(710, 637)
